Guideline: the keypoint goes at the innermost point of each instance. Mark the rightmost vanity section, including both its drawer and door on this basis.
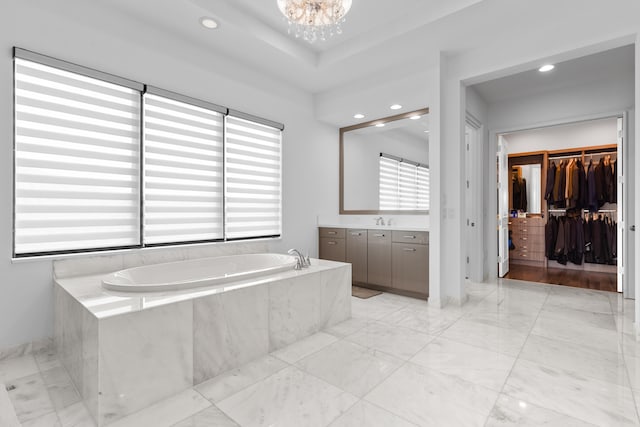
(410, 262)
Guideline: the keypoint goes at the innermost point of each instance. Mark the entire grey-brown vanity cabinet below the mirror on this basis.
(388, 260)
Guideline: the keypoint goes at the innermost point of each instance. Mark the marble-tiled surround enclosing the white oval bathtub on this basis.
(125, 352)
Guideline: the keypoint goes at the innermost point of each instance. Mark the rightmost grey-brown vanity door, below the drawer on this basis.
(411, 267)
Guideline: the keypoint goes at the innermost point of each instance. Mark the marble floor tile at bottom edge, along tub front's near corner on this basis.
(166, 412)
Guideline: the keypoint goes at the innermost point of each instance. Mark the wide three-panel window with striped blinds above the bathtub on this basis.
(102, 163)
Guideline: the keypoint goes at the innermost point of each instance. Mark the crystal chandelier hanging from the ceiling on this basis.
(314, 20)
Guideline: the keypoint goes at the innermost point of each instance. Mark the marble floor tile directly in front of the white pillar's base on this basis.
(427, 321)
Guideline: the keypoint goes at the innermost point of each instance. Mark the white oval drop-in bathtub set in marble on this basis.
(196, 273)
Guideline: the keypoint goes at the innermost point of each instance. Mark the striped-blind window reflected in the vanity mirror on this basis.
(404, 185)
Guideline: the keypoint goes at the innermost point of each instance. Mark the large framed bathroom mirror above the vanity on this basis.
(393, 150)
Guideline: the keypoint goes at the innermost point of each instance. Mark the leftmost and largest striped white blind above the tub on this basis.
(77, 144)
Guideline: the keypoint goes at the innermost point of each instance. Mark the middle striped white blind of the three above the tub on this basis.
(183, 180)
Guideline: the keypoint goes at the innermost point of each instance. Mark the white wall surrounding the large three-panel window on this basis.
(118, 45)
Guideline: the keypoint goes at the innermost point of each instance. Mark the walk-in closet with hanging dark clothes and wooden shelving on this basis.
(564, 203)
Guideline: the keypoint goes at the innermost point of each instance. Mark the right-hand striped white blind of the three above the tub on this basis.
(253, 179)
